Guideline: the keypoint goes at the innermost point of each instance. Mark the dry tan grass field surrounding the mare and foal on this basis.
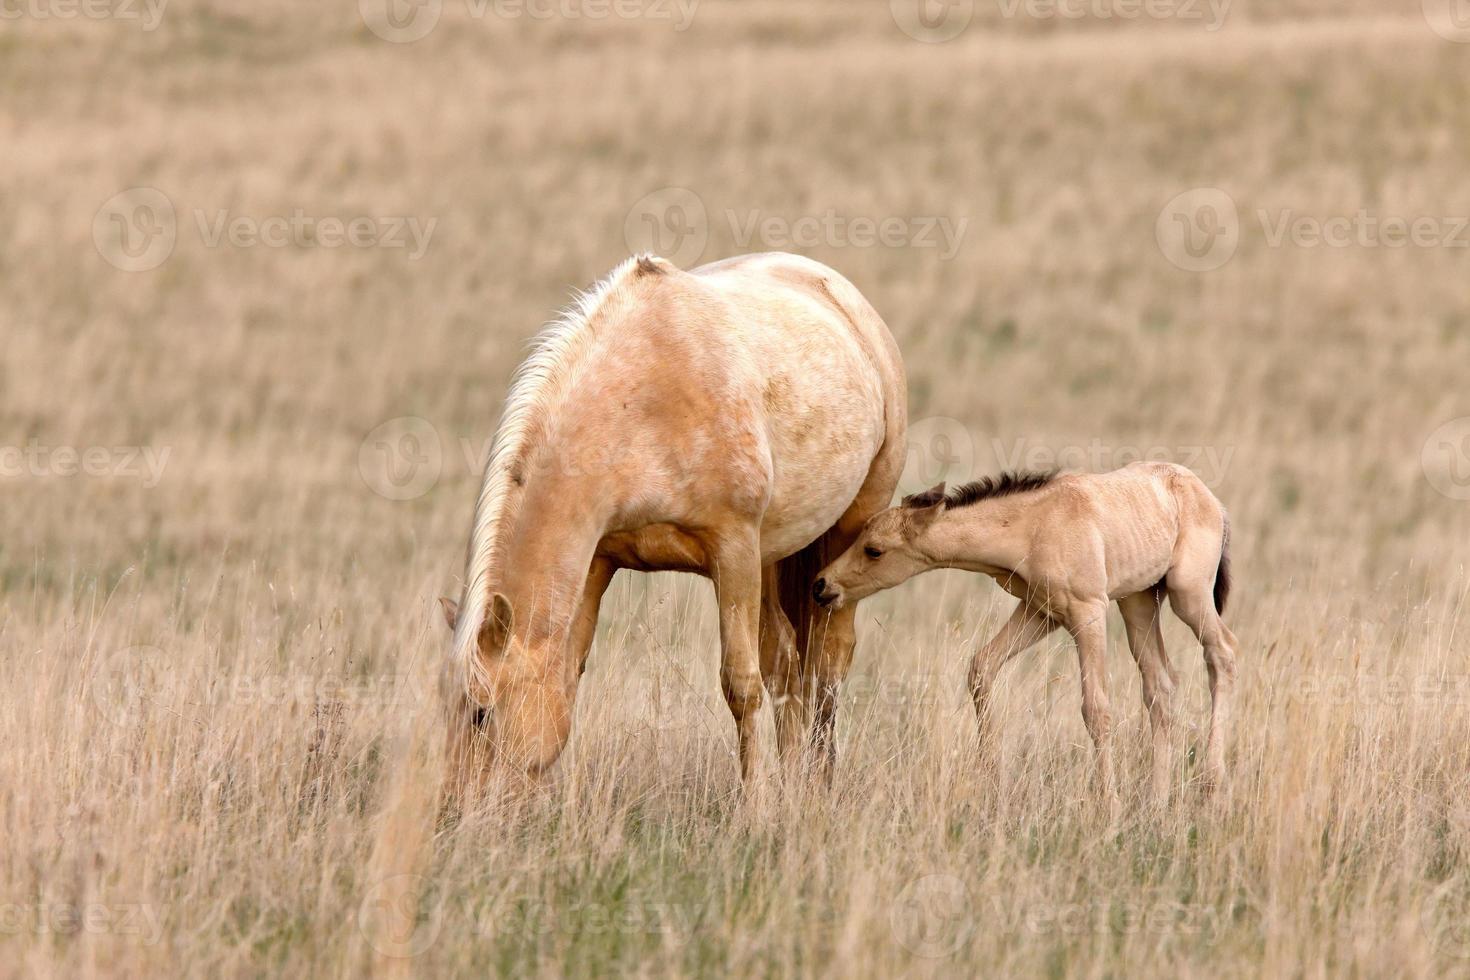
(242, 418)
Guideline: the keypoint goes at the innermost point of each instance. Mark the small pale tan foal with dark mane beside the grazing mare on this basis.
(1066, 546)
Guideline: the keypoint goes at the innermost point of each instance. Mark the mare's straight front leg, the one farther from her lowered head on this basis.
(736, 569)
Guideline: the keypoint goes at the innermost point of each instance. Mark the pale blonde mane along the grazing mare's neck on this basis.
(536, 390)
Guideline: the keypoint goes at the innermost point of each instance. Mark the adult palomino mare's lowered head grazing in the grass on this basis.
(509, 706)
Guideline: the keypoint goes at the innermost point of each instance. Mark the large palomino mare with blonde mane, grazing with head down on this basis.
(740, 421)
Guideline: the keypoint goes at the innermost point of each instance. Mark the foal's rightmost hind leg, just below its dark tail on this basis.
(1191, 594)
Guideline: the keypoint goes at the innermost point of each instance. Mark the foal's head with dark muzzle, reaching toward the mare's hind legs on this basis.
(887, 552)
